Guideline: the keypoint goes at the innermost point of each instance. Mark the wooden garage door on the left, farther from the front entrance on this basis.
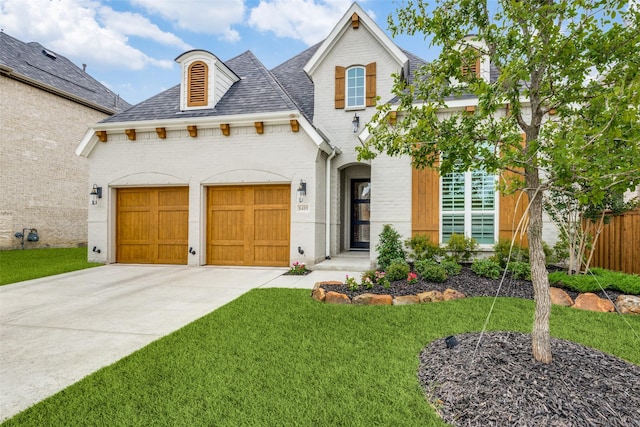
(152, 225)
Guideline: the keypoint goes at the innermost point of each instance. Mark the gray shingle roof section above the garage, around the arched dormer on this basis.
(257, 91)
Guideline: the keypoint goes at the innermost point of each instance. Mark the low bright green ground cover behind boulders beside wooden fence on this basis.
(597, 279)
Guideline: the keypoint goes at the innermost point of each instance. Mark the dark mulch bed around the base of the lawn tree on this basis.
(501, 385)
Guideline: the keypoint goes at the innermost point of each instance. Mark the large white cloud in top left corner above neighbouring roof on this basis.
(73, 28)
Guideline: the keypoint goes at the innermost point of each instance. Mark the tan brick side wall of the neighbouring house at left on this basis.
(43, 184)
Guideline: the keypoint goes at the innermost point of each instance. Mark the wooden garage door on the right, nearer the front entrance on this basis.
(248, 225)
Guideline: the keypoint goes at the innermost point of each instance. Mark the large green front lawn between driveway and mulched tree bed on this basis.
(275, 357)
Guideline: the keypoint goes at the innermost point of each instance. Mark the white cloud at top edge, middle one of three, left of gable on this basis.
(200, 16)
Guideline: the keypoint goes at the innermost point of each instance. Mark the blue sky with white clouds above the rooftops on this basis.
(130, 45)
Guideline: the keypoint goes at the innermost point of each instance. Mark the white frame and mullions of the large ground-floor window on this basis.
(468, 211)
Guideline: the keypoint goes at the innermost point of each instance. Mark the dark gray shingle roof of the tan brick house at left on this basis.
(36, 63)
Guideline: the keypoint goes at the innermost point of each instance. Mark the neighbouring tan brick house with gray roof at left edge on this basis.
(46, 103)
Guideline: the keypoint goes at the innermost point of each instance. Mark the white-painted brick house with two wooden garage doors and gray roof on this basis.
(240, 165)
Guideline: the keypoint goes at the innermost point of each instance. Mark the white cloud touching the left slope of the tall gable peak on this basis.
(307, 20)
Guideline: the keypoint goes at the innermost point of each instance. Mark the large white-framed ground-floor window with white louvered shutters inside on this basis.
(468, 206)
